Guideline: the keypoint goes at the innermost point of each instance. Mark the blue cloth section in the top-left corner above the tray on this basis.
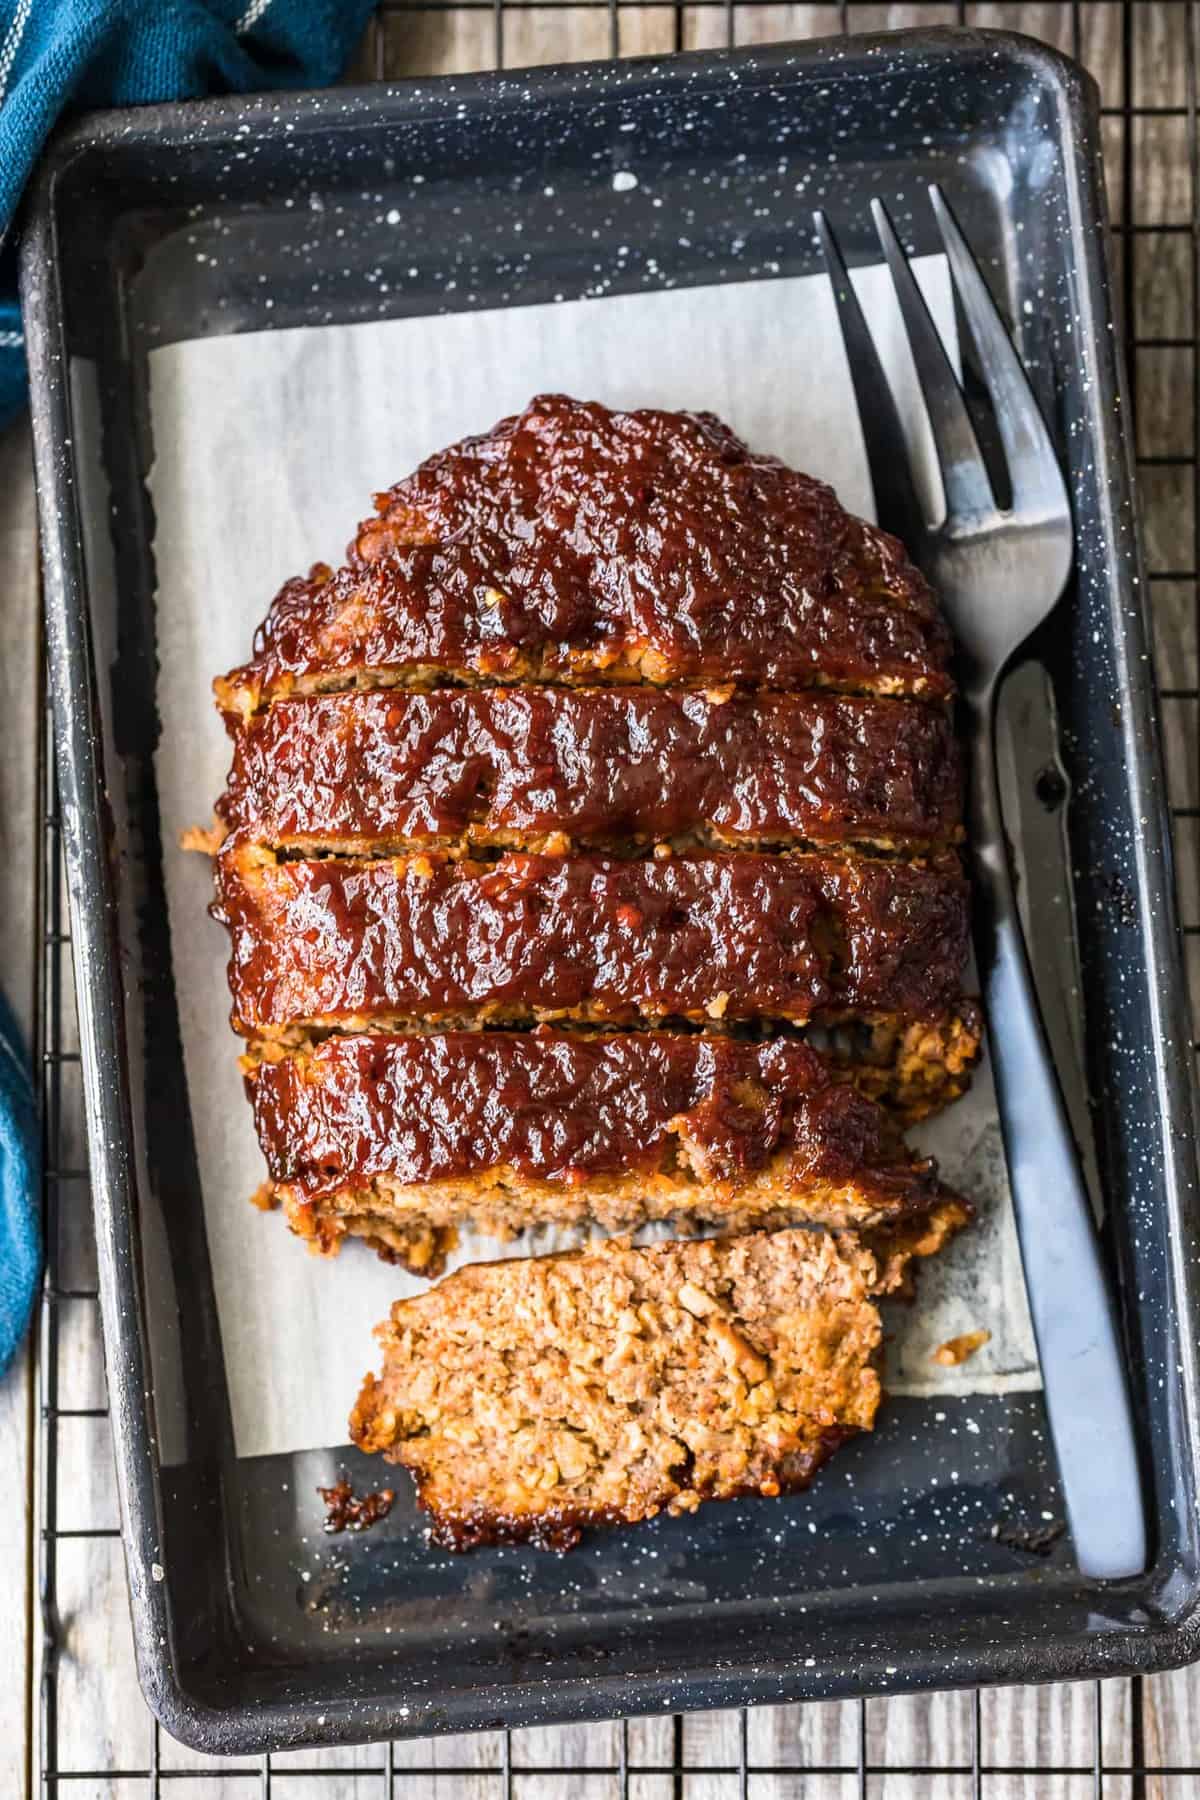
(67, 55)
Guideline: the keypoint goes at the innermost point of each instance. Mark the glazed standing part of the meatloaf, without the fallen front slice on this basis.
(607, 723)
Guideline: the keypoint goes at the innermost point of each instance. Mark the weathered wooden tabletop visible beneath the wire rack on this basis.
(1142, 1734)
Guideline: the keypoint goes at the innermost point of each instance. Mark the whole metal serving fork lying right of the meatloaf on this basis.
(998, 575)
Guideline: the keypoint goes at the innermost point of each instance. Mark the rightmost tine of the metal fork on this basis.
(1032, 462)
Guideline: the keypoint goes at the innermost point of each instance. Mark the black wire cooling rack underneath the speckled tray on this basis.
(1106, 1740)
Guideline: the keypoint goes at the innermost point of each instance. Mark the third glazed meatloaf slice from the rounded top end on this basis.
(350, 946)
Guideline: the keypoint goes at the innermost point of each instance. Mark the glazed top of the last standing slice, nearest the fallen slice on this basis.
(573, 1108)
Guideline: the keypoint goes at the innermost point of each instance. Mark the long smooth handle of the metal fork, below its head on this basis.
(1088, 1396)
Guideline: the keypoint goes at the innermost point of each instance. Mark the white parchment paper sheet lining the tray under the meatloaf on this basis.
(267, 451)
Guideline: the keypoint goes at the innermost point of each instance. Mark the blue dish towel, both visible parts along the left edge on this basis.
(58, 57)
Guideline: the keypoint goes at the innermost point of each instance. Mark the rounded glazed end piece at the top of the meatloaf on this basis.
(580, 544)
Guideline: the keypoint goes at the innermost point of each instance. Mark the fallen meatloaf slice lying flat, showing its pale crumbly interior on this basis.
(535, 1398)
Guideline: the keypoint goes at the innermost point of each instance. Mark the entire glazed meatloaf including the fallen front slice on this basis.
(589, 861)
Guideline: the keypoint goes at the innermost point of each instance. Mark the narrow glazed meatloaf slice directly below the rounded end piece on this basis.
(546, 768)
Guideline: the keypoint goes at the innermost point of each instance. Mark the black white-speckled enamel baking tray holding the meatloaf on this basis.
(909, 1565)
